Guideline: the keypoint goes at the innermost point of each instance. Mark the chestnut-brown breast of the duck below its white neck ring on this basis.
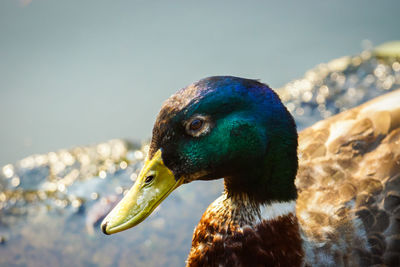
(231, 233)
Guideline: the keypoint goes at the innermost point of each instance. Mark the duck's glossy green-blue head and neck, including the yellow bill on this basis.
(219, 127)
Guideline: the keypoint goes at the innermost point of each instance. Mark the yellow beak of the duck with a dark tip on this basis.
(154, 184)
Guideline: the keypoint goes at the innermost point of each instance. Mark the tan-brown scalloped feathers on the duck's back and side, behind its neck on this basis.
(349, 186)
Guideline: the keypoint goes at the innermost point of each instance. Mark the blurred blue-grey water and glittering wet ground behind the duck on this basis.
(82, 72)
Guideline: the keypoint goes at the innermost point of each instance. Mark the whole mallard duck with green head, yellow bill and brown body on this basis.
(327, 196)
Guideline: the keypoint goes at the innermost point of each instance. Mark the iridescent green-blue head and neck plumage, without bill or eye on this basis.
(249, 119)
